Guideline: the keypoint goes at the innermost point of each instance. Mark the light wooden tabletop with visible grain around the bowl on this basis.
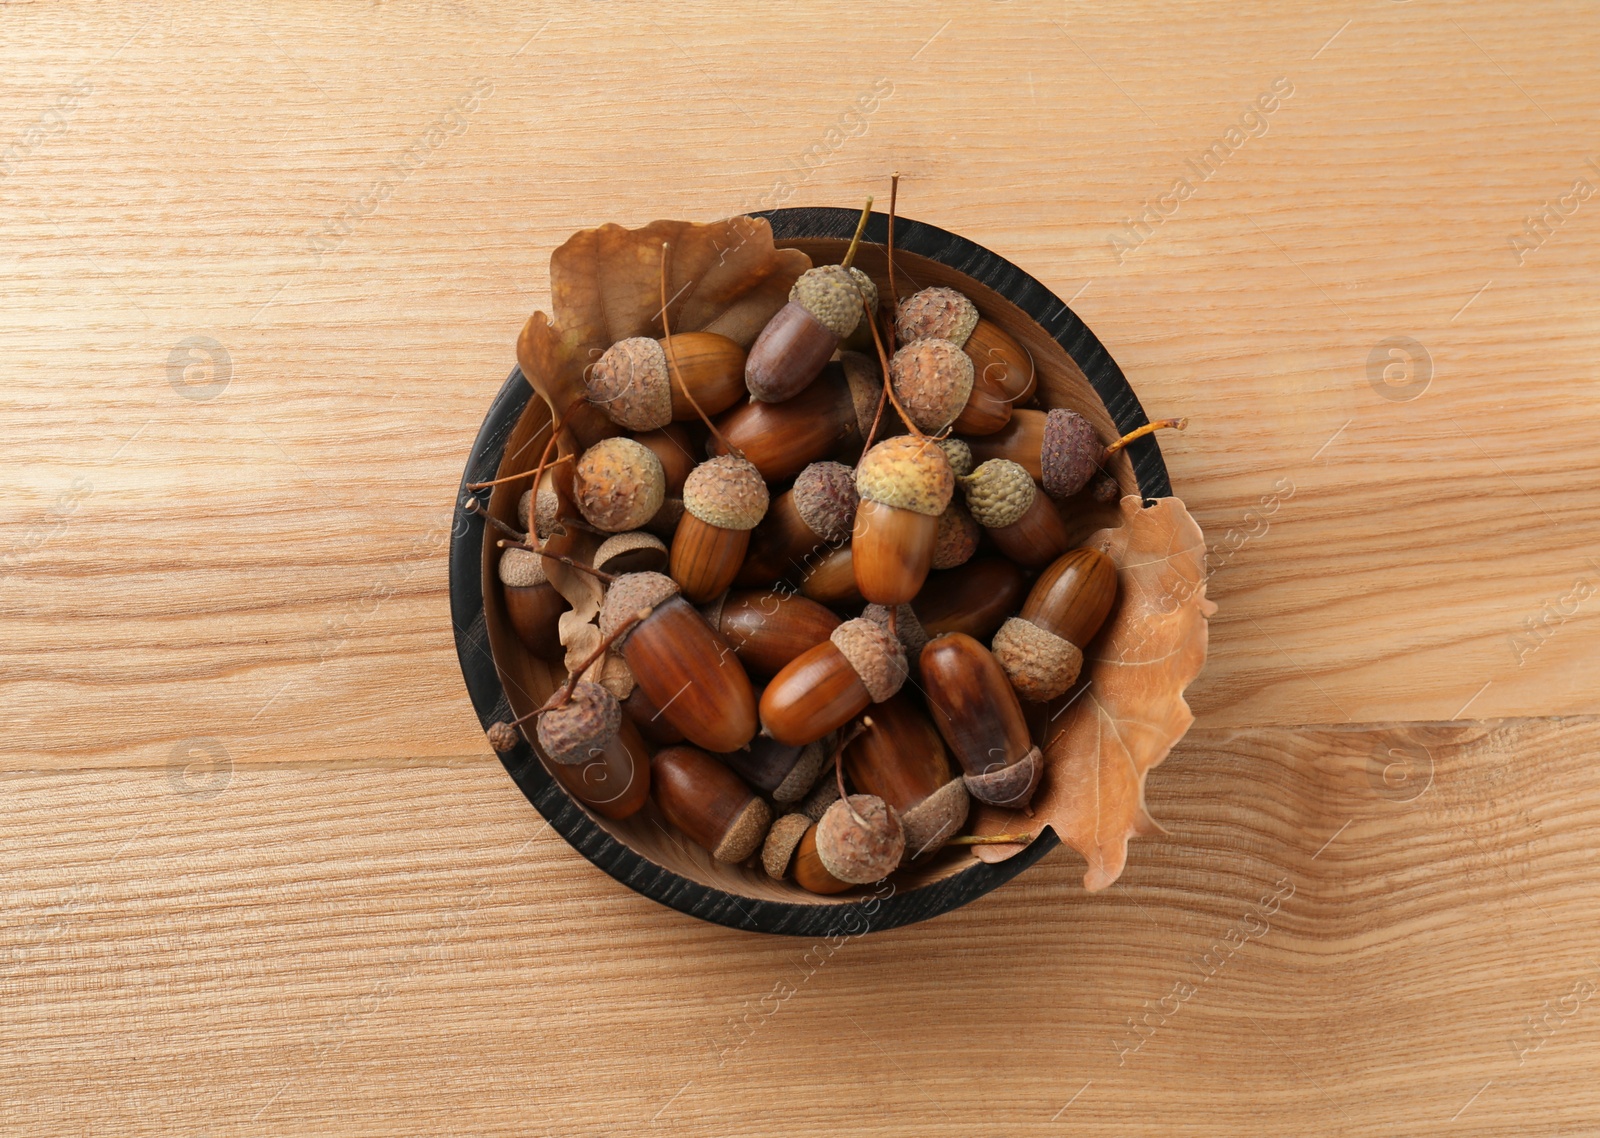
(263, 270)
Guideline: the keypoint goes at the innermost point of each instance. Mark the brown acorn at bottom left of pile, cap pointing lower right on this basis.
(710, 803)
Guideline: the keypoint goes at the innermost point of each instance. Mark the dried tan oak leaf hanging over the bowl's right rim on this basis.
(1129, 710)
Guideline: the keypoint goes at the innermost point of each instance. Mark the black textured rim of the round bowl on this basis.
(870, 913)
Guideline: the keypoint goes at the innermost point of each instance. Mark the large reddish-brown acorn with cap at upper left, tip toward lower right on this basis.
(686, 670)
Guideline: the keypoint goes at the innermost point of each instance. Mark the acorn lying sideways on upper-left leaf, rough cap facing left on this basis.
(633, 387)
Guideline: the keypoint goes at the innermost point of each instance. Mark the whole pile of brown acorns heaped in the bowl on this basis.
(810, 620)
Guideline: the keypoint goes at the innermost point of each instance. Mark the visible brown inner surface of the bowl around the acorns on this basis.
(530, 681)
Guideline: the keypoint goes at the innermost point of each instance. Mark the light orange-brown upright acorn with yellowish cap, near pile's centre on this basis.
(905, 486)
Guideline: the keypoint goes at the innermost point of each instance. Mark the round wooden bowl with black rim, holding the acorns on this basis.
(506, 681)
